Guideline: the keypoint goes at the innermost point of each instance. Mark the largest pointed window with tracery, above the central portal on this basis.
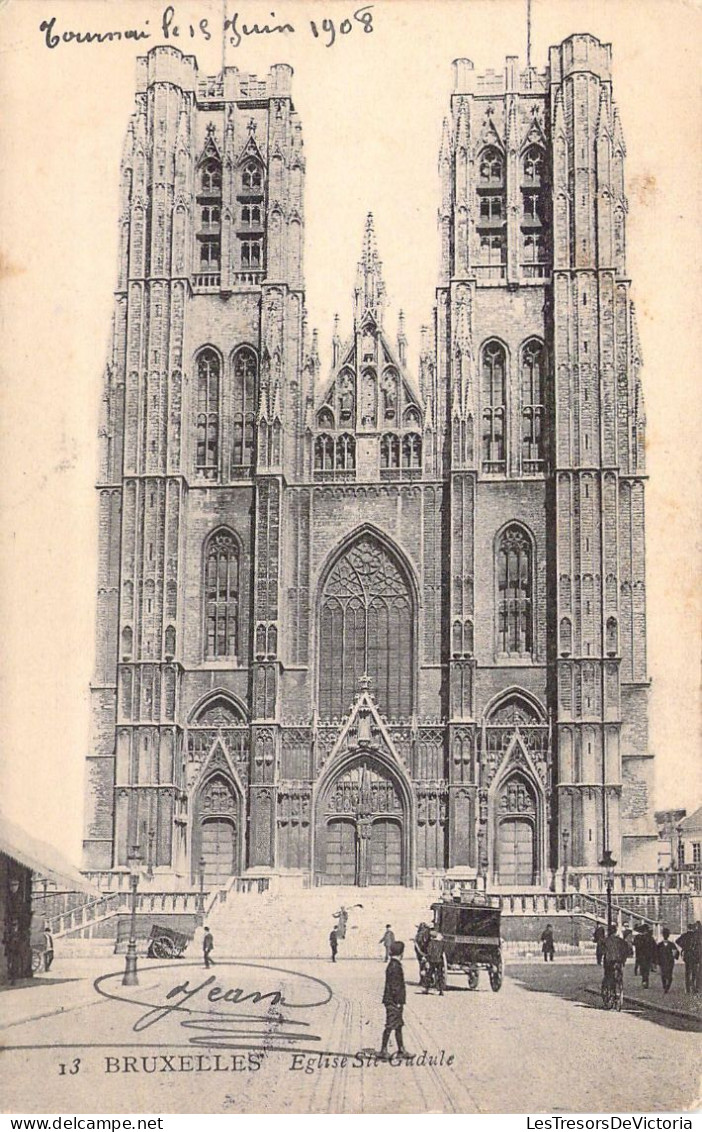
(366, 629)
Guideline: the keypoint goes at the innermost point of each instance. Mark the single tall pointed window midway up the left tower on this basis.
(221, 596)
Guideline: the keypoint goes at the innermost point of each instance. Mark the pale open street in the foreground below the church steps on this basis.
(543, 1044)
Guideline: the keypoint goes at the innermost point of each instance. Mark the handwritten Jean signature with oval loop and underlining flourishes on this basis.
(211, 1006)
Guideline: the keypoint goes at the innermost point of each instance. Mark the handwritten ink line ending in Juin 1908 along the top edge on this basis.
(235, 28)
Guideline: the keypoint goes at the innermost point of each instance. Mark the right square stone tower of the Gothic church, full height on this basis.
(541, 414)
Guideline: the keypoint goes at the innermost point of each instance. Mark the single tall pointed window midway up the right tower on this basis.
(515, 569)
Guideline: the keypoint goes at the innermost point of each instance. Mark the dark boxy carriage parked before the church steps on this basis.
(469, 929)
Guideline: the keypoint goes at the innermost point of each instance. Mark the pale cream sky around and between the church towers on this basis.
(372, 107)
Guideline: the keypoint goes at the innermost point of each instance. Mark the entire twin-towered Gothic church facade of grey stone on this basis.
(388, 622)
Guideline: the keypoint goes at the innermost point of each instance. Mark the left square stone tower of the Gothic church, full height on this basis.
(202, 407)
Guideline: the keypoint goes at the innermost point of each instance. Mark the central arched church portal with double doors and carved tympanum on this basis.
(363, 827)
